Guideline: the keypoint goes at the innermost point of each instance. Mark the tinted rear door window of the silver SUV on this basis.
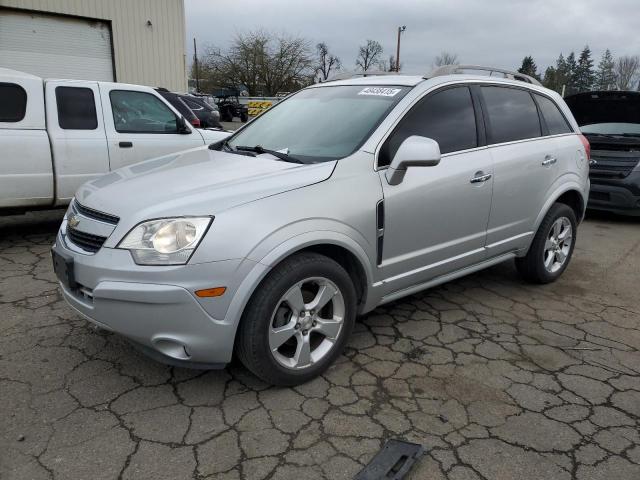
(512, 114)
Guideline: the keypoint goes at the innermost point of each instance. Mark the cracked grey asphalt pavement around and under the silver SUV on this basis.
(496, 378)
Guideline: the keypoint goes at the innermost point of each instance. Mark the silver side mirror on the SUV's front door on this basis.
(415, 151)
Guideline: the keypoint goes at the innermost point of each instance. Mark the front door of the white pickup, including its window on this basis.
(140, 125)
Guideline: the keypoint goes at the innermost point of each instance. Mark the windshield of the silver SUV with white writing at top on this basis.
(324, 123)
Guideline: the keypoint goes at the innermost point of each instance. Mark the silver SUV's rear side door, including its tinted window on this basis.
(525, 166)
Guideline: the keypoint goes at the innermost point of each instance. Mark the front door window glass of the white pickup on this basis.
(141, 112)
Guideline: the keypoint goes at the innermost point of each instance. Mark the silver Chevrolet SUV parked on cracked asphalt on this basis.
(347, 195)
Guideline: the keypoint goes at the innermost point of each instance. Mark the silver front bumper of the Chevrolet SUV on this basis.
(156, 307)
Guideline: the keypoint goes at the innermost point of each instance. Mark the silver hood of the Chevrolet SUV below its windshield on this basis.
(195, 182)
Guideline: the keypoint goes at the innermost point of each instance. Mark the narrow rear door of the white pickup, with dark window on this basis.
(76, 130)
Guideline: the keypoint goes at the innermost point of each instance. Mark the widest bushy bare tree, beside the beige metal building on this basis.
(264, 62)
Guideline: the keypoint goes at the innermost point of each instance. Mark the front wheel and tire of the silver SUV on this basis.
(269, 317)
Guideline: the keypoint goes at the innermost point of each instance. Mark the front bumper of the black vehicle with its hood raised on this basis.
(616, 195)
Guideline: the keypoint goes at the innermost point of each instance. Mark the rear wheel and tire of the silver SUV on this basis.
(548, 258)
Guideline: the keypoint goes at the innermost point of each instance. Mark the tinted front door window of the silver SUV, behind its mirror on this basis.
(446, 116)
